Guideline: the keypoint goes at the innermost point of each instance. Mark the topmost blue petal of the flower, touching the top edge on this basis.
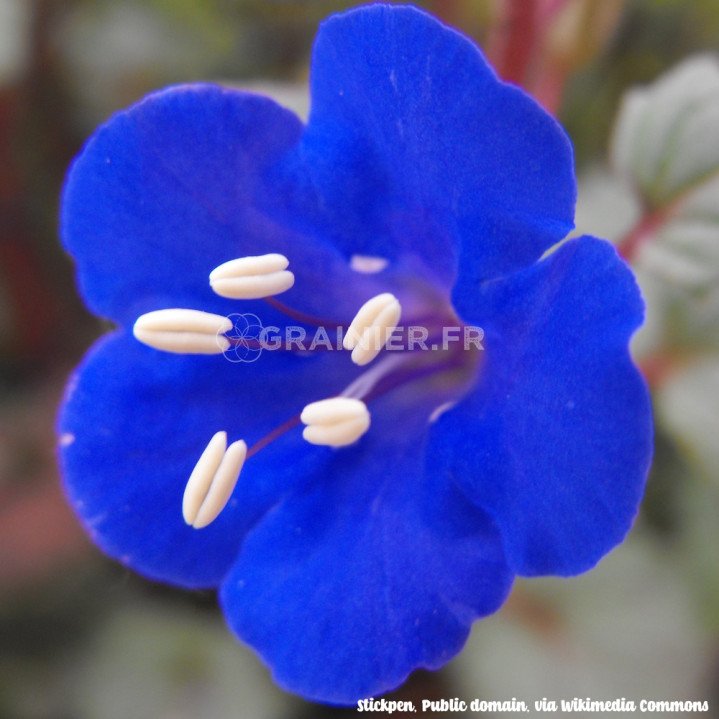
(414, 146)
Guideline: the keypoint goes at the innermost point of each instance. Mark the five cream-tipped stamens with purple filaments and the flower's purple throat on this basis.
(430, 352)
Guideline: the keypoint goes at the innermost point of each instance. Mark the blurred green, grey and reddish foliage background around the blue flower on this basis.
(81, 638)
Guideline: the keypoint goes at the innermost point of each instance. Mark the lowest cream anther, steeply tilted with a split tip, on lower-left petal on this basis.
(212, 481)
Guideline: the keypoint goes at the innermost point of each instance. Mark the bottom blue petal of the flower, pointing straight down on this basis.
(377, 567)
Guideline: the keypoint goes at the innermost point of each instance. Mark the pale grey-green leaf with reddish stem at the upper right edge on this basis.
(666, 146)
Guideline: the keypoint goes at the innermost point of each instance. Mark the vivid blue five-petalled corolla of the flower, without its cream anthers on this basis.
(346, 569)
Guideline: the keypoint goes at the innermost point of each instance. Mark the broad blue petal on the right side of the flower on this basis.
(556, 440)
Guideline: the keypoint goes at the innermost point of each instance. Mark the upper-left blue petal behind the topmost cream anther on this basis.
(180, 183)
